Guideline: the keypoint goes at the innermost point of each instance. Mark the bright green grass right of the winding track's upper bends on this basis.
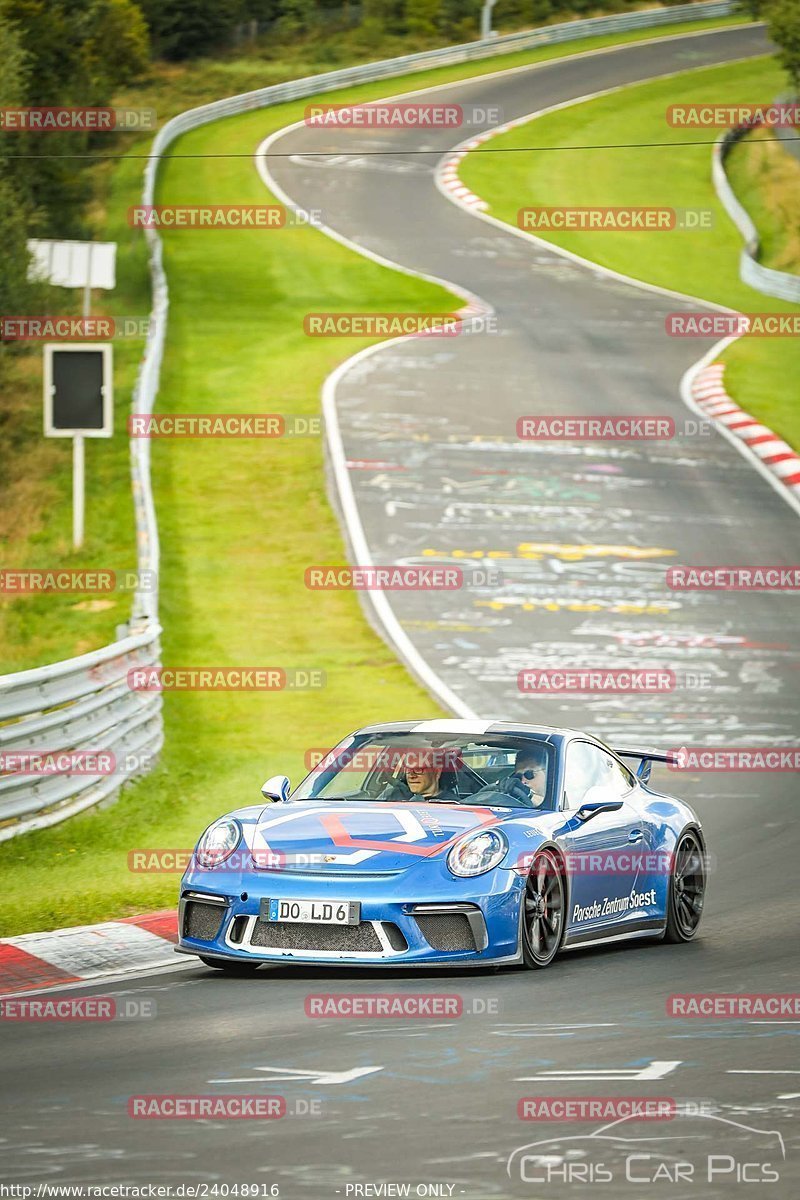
(699, 263)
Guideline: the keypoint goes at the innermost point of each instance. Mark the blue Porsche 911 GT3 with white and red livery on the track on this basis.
(447, 843)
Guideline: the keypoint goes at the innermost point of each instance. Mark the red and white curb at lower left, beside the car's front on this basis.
(88, 952)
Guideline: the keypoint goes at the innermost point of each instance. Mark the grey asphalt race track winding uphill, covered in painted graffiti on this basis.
(437, 1102)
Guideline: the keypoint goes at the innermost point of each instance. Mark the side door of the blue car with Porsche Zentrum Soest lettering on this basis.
(601, 844)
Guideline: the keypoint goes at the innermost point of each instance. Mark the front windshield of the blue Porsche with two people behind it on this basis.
(509, 772)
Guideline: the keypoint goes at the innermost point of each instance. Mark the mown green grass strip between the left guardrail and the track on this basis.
(239, 525)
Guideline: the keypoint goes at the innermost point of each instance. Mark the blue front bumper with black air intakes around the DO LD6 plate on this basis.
(411, 919)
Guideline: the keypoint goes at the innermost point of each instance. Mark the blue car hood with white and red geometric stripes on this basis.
(370, 838)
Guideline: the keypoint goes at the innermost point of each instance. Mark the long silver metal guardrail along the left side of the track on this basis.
(85, 703)
